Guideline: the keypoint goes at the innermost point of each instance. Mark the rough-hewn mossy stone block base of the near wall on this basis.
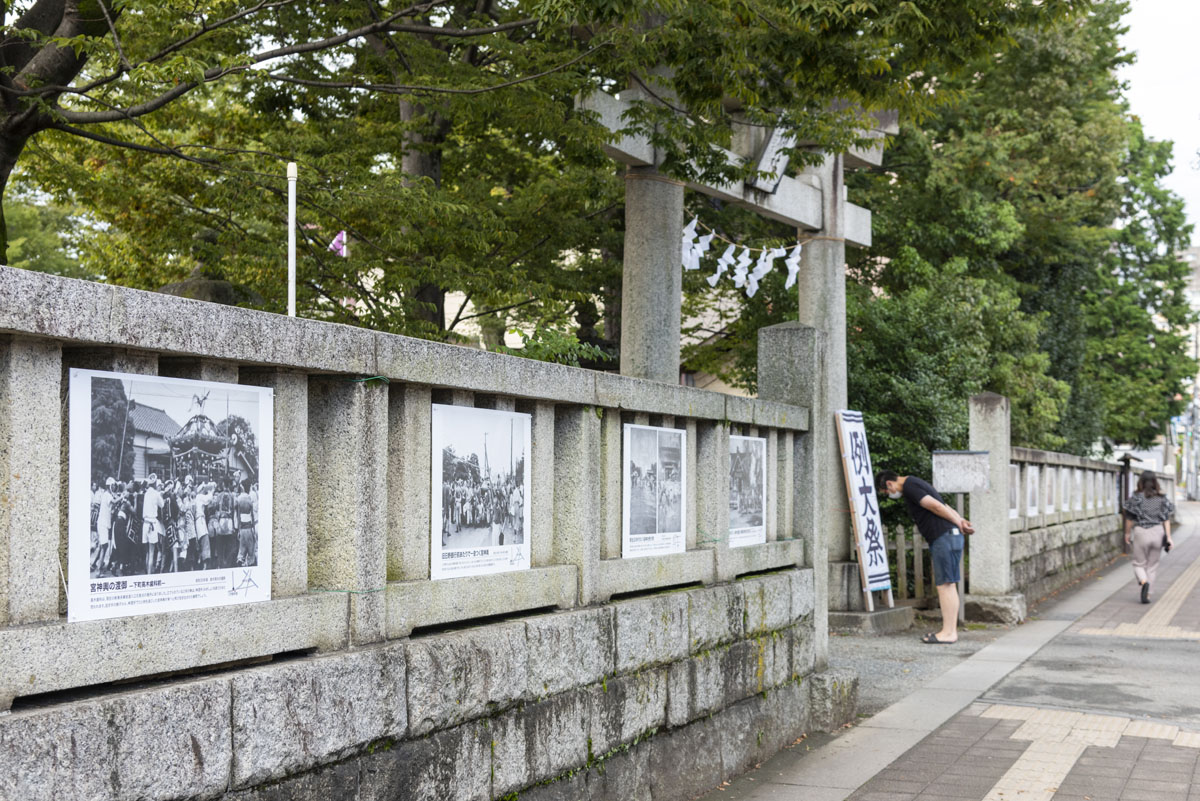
(614, 702)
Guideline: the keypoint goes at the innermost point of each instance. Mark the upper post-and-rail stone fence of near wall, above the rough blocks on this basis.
(352, 479)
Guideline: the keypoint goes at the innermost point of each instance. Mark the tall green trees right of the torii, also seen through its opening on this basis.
(1022, 245)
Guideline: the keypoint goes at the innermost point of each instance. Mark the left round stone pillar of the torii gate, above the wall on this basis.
(652, 288)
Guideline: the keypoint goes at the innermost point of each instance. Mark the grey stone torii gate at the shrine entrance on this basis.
(815, 204)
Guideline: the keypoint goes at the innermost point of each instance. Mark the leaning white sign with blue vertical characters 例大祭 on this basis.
(873, 555)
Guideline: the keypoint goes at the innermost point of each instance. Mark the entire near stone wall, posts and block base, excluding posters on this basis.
(323, 691)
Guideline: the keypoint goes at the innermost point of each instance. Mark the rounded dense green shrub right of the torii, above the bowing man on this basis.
(917, 356)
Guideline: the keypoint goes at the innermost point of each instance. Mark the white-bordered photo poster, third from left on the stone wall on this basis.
(655, 484)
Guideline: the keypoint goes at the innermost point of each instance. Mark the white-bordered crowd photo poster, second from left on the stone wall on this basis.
(481, 511)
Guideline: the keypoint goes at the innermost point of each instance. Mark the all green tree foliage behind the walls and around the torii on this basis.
(1019, 221)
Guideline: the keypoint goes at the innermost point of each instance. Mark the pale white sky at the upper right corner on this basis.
(1165, 87)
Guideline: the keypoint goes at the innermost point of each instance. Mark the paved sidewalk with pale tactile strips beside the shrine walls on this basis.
(1096, 700)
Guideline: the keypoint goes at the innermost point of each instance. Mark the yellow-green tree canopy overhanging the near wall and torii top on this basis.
(441, 135)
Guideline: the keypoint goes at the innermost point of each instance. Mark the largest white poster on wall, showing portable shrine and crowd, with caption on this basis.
(170, 495)
